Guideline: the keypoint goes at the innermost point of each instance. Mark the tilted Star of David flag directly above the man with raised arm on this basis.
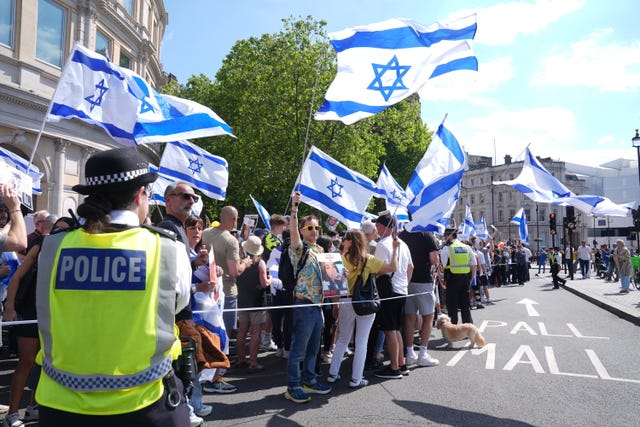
(334, 189)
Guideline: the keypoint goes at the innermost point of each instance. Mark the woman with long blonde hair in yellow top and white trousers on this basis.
(357, 260)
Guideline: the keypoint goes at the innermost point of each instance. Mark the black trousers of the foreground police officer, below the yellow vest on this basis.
(157, 414)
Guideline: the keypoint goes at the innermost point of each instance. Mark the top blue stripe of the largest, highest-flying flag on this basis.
(402, 38)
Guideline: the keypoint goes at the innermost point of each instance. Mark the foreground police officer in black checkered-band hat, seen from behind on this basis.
(107, 296)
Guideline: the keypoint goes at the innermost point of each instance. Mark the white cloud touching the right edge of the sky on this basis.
(610, 67)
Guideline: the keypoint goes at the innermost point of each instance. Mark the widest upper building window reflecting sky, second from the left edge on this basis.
(51, 32)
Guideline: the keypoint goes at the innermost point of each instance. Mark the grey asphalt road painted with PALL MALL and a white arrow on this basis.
(551, 359)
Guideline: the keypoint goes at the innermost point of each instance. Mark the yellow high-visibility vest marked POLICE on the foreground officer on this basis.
(106, 306)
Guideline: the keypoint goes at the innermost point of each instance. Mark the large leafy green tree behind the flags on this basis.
(266, 90)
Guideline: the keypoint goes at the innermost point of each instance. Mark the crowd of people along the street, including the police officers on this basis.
(137, 299)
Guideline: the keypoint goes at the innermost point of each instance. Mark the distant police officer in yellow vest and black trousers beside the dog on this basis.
(459, 270)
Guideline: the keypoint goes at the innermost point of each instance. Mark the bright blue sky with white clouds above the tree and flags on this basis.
(560, 75)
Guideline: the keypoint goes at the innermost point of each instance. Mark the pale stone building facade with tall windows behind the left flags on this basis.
(36, 37)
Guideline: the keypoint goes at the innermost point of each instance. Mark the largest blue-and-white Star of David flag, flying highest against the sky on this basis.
(381, 64)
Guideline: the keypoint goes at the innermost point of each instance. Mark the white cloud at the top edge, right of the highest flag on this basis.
(501, 24)
